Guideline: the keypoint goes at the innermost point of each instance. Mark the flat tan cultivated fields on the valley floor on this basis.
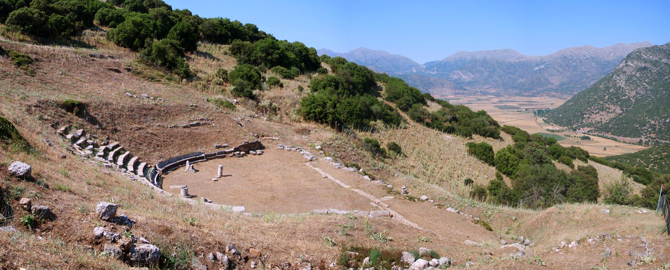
(518, 112)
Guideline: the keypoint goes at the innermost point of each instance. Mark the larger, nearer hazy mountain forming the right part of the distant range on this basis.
(506, 71)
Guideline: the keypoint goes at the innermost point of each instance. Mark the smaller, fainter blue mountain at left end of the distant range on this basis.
(379, 61)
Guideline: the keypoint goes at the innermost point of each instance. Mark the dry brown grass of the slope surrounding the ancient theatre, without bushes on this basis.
(436, 165)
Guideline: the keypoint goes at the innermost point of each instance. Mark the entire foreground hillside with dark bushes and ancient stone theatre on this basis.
(211, 149)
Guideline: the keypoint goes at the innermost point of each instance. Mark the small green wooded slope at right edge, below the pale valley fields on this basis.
(655, 158)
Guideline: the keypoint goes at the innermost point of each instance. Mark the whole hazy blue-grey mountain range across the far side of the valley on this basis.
(500, 72)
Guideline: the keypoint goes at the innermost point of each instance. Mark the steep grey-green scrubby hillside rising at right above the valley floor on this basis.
(631, 101)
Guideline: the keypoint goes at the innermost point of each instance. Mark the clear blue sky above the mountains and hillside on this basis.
(432, 30)
